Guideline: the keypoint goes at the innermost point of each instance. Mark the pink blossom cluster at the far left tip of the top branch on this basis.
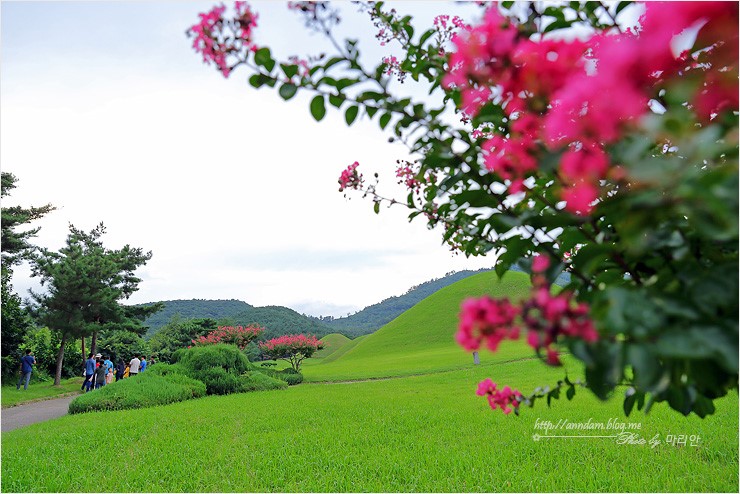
(215, 43)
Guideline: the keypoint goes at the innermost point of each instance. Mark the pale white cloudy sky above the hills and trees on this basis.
(108, 114)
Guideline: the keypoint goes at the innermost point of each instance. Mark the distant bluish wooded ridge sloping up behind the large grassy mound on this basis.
(374, 316)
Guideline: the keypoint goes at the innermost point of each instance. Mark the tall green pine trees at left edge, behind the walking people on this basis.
(83, 284)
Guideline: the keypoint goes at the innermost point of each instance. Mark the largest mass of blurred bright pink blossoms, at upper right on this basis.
(581, 96)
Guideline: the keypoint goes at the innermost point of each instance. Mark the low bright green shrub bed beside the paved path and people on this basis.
(145, 390)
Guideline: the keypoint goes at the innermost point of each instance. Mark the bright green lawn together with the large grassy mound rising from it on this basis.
(421, 428)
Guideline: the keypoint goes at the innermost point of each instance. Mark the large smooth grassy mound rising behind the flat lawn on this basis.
(421, 340)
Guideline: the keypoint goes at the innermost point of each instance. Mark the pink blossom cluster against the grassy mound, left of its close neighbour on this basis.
(486, 320)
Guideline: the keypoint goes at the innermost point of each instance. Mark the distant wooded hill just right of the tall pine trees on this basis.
(193, 309)
